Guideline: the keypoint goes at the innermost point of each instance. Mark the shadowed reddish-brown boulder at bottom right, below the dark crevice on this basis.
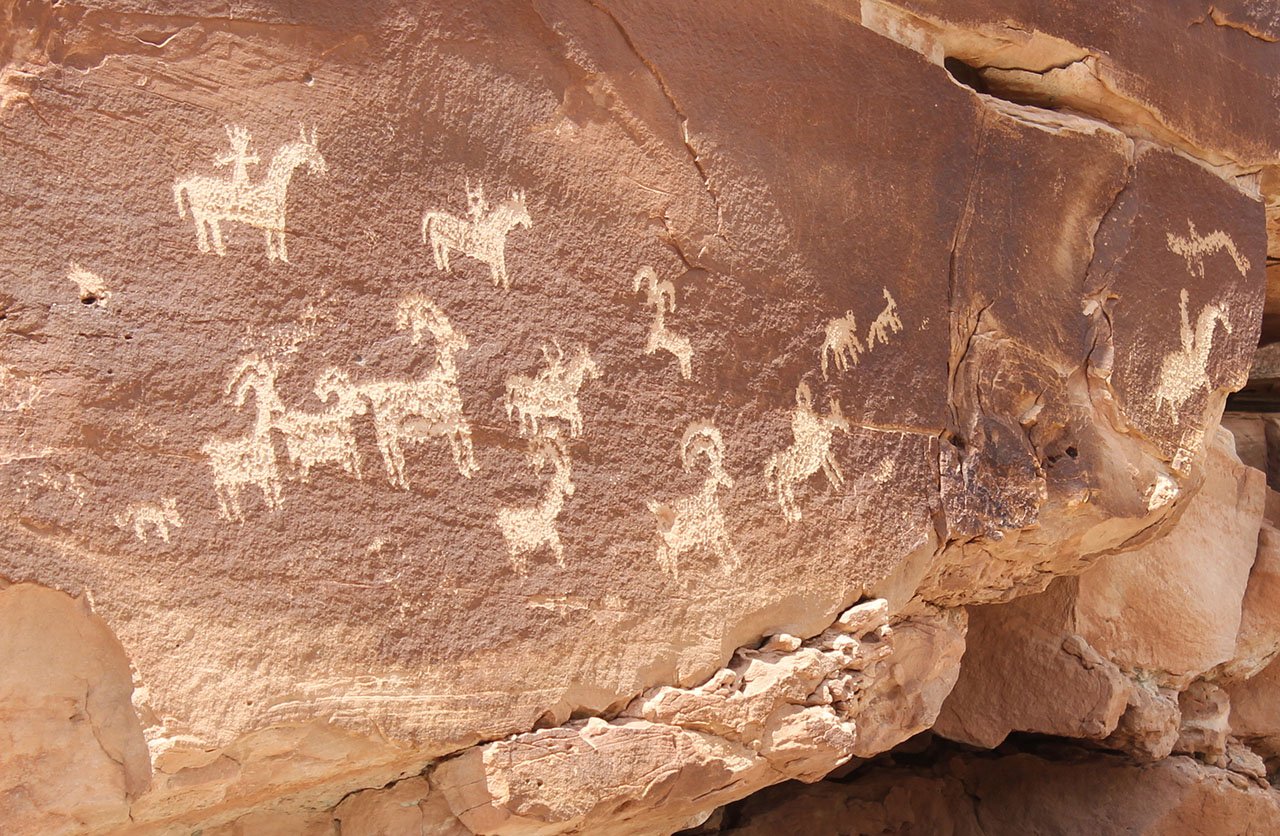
(971, 796)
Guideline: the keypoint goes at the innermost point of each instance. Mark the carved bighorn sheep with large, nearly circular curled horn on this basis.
(697, 520)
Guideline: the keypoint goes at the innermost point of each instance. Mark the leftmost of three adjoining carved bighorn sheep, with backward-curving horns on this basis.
(249, 460)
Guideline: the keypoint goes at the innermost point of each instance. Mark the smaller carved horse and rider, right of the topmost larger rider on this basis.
(481, 236)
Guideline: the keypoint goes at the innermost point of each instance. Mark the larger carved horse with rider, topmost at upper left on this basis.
(260, 205)
